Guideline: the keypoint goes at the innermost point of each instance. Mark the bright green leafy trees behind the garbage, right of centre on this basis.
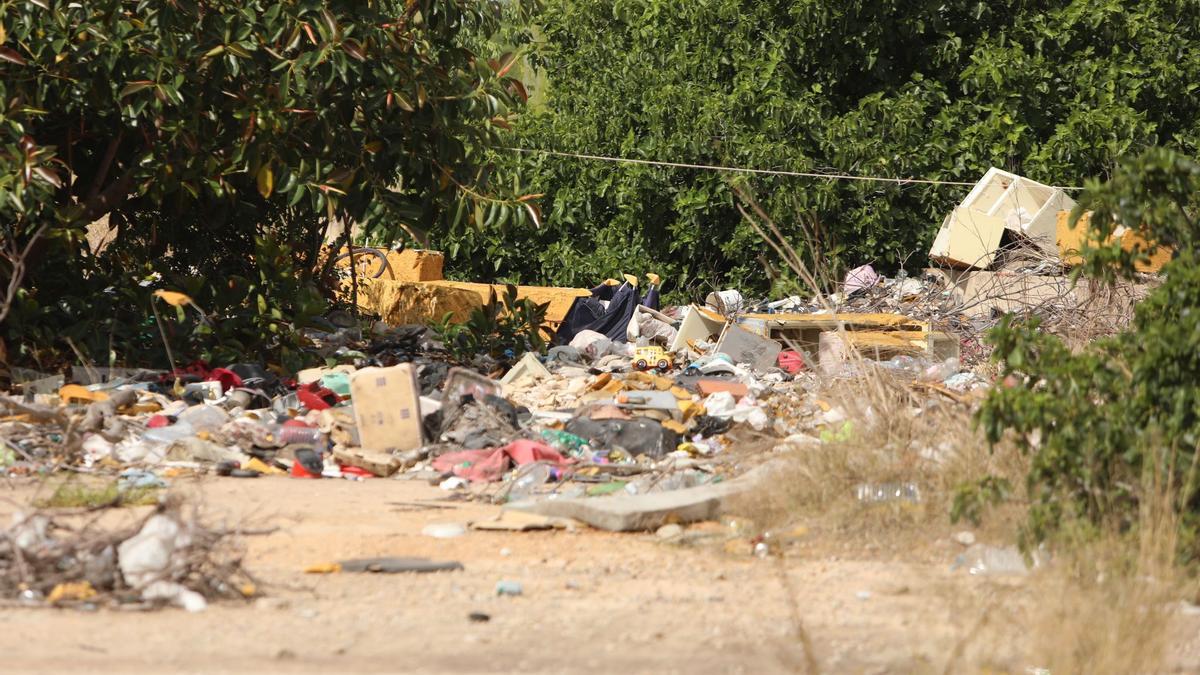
(928, 89)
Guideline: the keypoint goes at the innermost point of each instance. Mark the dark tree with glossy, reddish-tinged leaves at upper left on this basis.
(199, 128)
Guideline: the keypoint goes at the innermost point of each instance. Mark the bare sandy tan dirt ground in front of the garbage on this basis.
(592, 601)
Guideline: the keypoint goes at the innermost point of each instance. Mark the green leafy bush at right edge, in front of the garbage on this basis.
(1106, 423)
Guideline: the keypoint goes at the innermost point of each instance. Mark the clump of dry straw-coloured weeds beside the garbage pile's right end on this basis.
(892, 435)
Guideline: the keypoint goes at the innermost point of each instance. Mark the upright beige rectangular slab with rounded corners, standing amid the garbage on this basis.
(387, 408)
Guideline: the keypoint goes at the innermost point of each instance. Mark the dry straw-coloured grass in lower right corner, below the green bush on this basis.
(1105, 605)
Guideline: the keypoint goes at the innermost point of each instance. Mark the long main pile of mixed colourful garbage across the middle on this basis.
(632, 399)
